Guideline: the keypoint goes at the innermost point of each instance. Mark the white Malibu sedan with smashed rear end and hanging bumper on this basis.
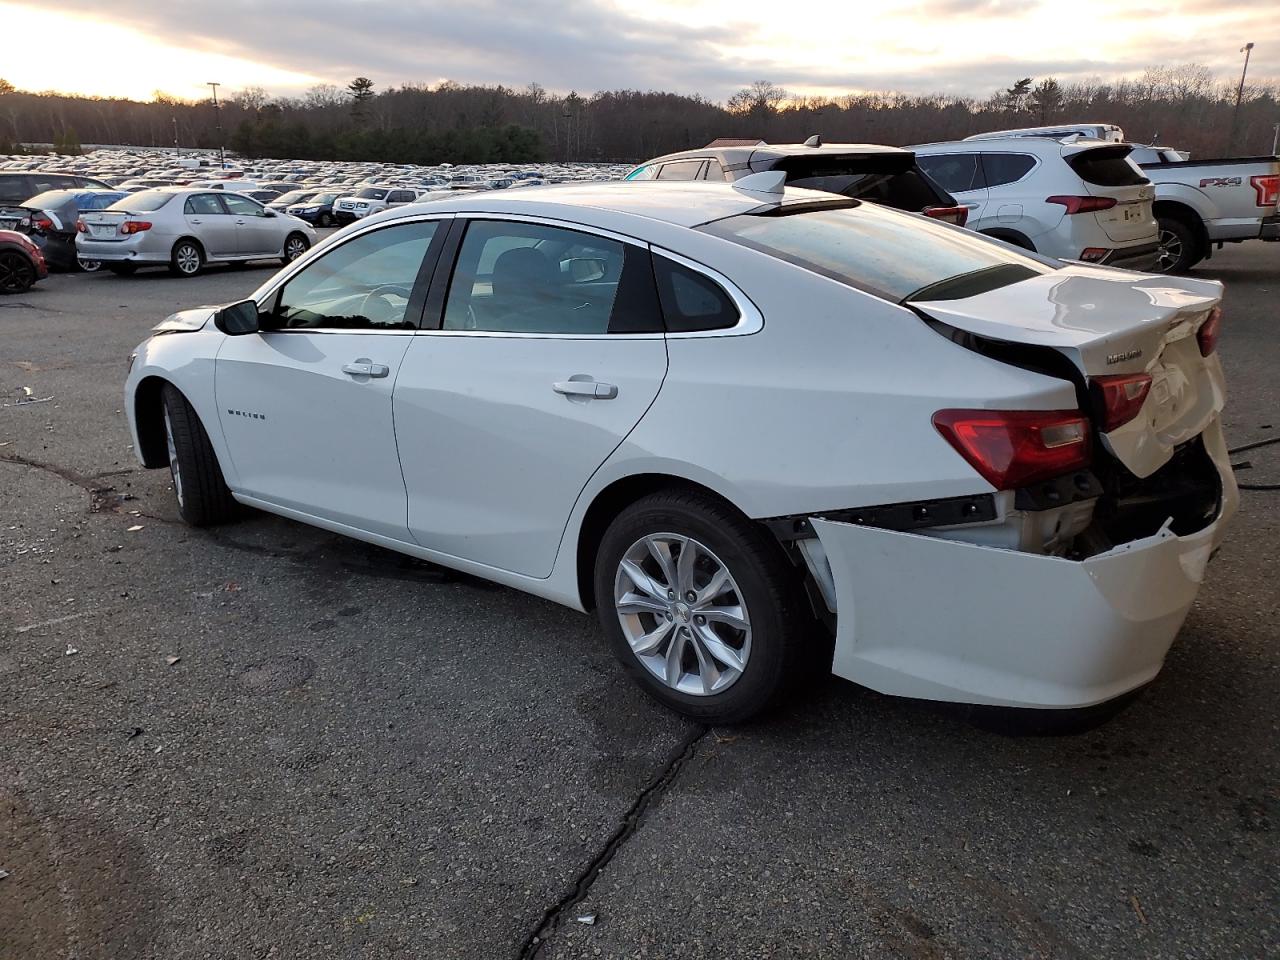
(755, 429)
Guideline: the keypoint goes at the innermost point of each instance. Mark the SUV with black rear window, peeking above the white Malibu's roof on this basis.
(888, 176)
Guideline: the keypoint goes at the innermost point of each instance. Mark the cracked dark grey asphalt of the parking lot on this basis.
(268, 742)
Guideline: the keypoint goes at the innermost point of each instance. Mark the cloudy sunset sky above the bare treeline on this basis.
(710, 47)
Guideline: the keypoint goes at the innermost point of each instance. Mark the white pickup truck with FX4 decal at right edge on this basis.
(1206, 203)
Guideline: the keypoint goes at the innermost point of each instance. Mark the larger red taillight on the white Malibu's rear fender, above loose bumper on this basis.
(1013, 449)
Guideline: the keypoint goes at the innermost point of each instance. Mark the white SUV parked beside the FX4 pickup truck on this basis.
(1069, 198)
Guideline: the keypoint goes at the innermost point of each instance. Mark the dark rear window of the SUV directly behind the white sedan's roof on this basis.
(893, 180)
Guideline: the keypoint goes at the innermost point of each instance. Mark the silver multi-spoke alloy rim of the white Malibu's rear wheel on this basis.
(683, 614)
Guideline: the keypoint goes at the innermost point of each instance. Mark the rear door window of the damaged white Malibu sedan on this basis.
(529, 278)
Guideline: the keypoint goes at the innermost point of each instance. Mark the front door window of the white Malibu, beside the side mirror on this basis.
(364, 285)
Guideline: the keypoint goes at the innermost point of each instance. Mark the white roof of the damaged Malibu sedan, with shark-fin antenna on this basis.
(676, 203)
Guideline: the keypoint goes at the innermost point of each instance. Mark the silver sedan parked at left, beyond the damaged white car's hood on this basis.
(186, 230)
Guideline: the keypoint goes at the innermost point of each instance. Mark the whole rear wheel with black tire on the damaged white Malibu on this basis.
(771, 653)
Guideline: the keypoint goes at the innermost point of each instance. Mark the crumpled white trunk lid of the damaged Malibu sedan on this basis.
(1109, 323)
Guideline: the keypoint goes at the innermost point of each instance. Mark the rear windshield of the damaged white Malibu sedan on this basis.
(893, 255)
